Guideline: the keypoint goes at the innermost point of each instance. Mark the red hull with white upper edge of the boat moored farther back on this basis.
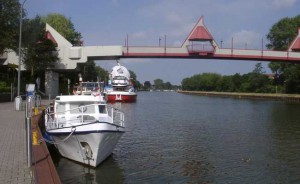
(116, 96)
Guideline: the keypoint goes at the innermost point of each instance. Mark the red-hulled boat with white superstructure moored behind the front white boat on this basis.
(120, 87)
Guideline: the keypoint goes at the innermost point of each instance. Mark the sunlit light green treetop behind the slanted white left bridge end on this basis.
(64, 26)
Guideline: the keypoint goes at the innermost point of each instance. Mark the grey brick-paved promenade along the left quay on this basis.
(13, 159)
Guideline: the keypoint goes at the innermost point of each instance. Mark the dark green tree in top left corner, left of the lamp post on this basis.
(9, 21)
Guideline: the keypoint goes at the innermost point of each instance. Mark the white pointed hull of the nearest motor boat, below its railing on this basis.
(87, 147)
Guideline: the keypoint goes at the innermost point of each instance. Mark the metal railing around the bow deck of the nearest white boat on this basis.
(83, 115)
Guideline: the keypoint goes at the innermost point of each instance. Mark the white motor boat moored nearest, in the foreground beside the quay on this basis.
(84, 128)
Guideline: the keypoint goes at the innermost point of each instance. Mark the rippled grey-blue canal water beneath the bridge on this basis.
(178, 138)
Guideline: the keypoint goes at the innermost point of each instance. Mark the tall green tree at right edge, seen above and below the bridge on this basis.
(280, 36)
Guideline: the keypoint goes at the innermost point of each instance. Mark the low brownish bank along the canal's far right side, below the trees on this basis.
(262, 96)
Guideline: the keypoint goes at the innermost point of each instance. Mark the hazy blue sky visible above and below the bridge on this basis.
(108, 22)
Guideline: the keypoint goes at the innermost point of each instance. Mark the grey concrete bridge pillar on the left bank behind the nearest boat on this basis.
(51, 83)
